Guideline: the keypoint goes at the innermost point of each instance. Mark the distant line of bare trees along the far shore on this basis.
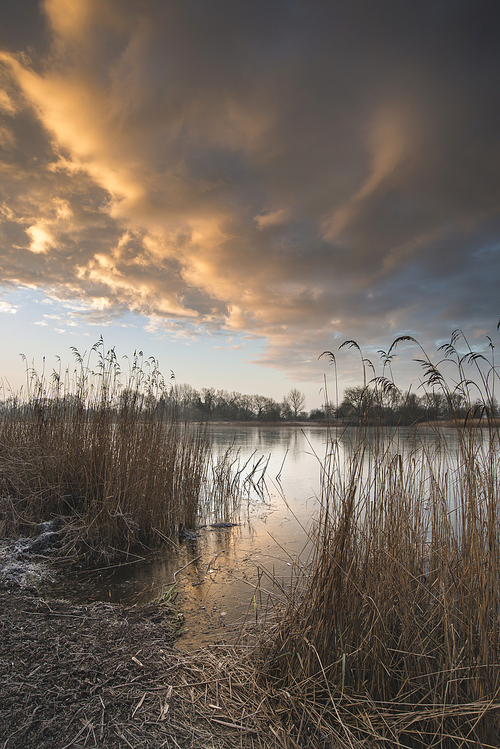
(359, 406)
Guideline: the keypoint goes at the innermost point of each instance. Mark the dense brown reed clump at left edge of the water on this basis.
(101, 447)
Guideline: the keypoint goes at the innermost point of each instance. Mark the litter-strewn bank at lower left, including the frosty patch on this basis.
(107, 675)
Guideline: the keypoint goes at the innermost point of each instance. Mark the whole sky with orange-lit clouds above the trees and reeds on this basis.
(234, 187)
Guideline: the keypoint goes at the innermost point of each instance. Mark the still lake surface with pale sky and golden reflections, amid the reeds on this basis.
(226, 576)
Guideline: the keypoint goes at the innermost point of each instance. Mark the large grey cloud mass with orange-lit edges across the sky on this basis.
(207, 170)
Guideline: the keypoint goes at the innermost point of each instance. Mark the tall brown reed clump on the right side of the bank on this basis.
(400, 617)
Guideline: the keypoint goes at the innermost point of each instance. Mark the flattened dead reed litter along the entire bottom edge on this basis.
(107, 675)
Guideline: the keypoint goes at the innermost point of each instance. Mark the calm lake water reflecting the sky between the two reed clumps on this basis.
(217, 574)
